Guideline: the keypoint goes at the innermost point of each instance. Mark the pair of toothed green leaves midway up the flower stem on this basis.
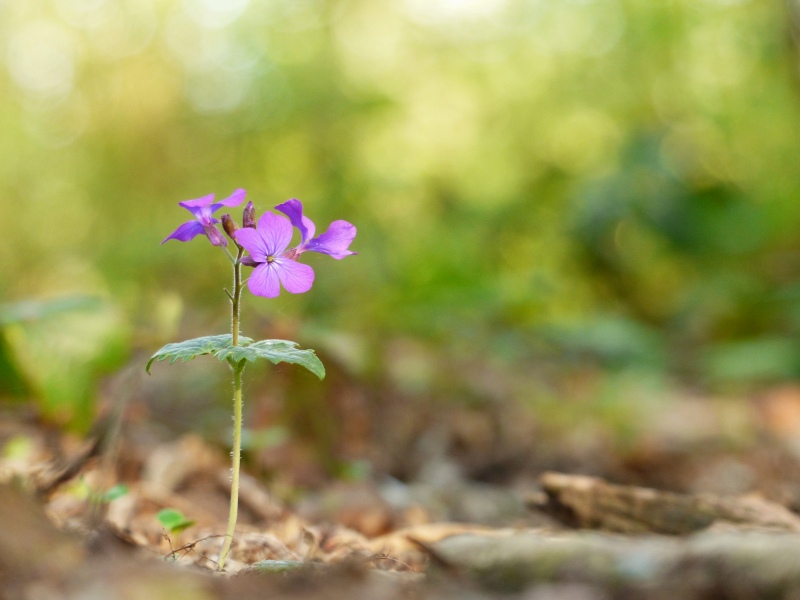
(275, 351)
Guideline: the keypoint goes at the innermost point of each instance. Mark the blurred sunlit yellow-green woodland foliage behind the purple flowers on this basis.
(542, 187)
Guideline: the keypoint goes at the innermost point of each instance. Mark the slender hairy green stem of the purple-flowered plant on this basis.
(237, 413)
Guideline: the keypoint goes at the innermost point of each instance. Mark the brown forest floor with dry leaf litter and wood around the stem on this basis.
(701, 503)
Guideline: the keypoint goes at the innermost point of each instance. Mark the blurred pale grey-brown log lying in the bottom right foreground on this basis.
(708, 564)
